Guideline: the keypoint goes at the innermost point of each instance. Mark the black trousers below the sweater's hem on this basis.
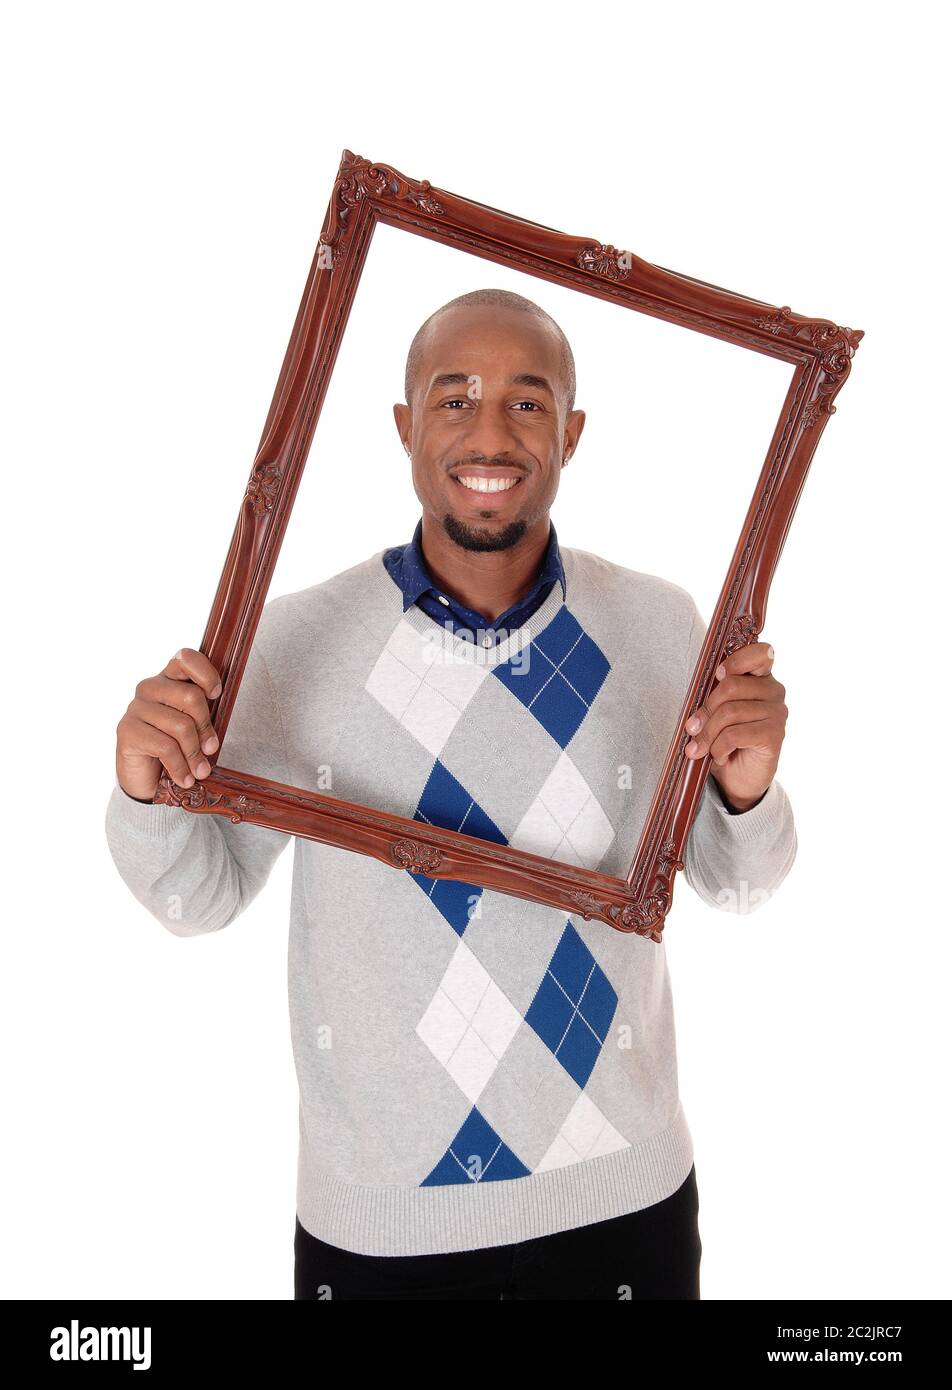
(654, 1253)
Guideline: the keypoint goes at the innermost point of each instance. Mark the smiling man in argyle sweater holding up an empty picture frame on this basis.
(489, 1088)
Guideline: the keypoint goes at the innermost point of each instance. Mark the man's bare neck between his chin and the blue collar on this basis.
(487, 582)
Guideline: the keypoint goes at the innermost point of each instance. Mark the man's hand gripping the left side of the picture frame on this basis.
(167, 726)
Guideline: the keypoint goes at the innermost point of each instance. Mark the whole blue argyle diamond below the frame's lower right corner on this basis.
(575, 1006)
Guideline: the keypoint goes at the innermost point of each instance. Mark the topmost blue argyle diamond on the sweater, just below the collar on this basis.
(561, 679)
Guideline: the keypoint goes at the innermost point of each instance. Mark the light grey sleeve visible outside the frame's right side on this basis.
(734, 860)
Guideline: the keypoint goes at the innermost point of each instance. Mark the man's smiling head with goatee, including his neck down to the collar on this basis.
(489, 445)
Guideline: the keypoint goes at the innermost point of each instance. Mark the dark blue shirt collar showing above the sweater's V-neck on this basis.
(408, 569)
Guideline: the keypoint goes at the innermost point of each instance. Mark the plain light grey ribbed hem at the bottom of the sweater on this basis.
(425, 1221)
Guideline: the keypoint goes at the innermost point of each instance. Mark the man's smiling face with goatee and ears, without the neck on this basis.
(489, 427)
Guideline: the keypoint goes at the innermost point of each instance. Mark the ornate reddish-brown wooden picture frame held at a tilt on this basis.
(821, 352)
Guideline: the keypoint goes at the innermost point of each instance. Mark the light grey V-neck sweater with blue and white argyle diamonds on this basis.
(475, 1070)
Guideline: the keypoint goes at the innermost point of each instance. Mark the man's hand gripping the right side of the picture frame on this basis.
(743, 725)
